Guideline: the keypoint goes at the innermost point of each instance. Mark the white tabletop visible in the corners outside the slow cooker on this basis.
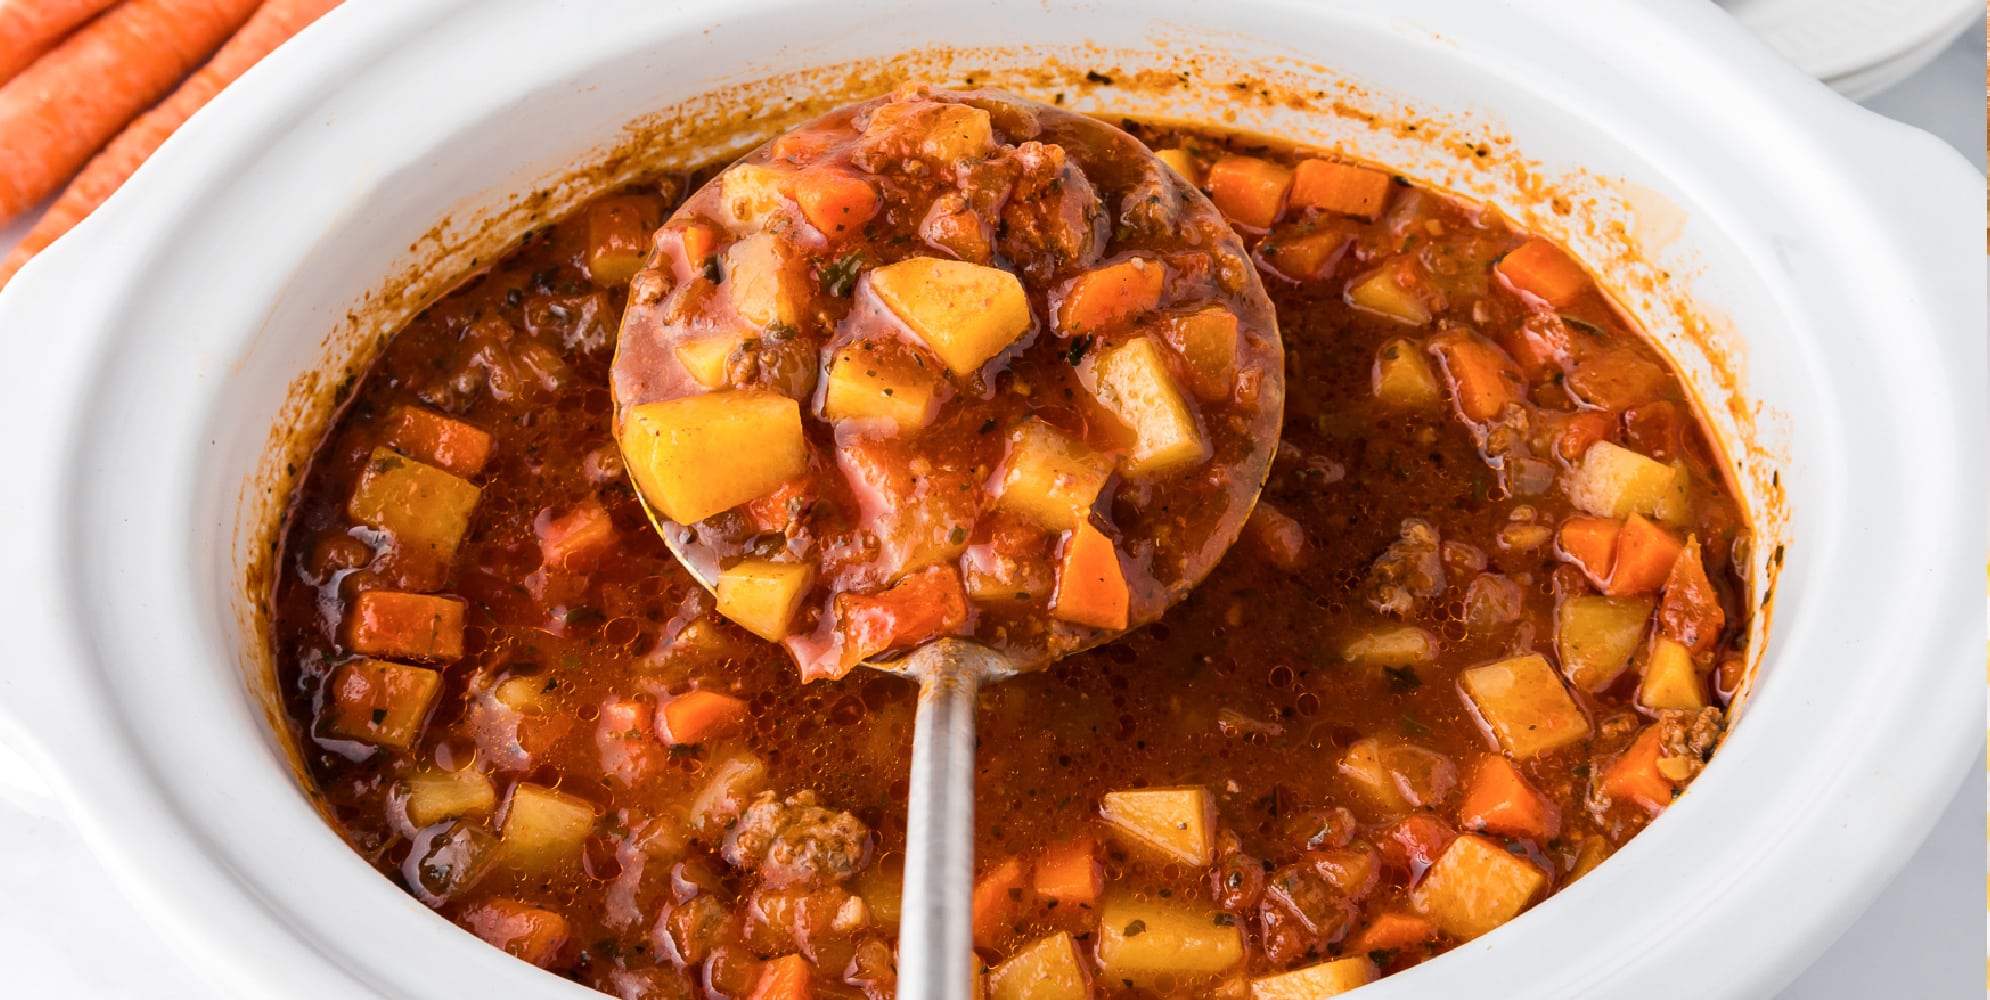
(67, 933)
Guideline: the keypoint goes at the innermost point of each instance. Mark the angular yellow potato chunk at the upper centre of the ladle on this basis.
(964, 313)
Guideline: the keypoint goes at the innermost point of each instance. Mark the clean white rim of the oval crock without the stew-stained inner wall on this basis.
(1818, 828)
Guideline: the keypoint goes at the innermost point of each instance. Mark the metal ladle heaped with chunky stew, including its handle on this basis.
(946, 385)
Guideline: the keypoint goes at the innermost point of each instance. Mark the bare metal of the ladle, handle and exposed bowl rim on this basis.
(936, 935)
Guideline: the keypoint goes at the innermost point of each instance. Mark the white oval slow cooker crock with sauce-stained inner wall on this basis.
(1814, 269)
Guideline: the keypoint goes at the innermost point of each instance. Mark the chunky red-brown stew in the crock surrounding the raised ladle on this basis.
(1482, 629)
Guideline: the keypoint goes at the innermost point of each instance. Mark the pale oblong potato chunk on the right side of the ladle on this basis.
(1135, 387)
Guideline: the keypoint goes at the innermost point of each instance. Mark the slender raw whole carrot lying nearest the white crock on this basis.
(272, 27)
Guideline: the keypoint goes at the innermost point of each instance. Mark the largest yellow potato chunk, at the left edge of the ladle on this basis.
(705, 454)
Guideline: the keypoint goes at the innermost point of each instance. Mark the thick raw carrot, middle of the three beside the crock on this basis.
(77, 96)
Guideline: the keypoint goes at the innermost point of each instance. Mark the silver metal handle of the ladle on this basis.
(936, 927)
